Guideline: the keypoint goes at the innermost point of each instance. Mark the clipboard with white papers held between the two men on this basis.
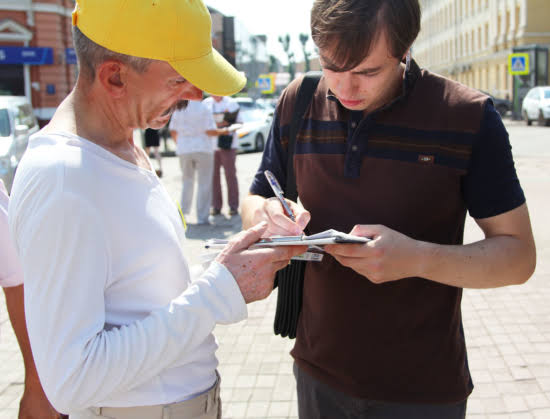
(320, 239)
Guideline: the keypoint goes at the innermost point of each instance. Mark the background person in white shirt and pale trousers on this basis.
(194, 130)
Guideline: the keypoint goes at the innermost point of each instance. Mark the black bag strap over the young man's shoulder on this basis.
(303, 99)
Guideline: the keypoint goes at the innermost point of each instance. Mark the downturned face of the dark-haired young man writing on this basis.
(370, 85)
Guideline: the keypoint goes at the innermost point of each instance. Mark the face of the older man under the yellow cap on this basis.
(154, 94)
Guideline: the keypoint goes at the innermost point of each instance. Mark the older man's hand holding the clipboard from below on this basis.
(254, 269)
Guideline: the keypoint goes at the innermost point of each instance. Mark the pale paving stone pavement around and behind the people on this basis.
(507, 330)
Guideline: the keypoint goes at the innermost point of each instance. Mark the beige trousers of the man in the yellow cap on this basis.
(205, 406)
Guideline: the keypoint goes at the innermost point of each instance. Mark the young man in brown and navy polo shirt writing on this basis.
(398, 154)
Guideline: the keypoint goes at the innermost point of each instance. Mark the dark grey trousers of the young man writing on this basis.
(317, 400)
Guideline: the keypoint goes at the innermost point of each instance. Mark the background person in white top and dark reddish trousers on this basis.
(225, 155)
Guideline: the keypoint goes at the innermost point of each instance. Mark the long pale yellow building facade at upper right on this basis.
(470, 40)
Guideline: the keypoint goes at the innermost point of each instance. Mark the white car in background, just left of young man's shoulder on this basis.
(254, 131)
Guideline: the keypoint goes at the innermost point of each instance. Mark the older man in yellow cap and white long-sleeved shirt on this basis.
(118, 327)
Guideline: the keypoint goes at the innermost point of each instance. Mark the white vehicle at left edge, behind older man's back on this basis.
(17, 123)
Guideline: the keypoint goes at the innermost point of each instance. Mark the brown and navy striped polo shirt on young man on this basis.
(416, 166)
